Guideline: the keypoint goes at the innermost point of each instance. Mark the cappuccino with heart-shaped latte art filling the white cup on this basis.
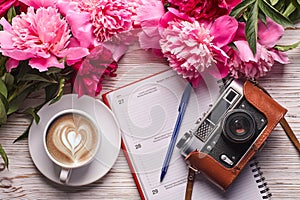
(72, 139)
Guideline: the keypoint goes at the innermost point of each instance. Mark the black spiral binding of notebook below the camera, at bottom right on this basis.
(260, 180)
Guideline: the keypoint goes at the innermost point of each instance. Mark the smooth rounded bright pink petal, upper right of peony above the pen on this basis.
(224, 30)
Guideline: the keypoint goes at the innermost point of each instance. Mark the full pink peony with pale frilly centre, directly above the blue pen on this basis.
(192, 48)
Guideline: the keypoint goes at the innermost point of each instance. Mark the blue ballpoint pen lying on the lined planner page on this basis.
(182, 106)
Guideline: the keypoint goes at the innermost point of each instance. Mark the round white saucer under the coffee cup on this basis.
(106, 155)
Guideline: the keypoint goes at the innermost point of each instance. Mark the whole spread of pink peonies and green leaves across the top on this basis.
(46, 44)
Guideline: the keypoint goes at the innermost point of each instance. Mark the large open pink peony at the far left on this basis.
(42, 37)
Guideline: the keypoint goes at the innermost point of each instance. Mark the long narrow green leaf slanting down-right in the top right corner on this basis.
(274, 14)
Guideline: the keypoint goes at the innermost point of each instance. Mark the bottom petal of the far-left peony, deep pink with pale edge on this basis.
(43, 64)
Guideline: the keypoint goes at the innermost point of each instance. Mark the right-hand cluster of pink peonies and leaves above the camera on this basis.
(228, 37)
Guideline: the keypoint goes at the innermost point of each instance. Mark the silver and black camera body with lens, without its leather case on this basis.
(228, 129)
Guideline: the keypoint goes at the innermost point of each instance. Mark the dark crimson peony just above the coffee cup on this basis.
(92, 71)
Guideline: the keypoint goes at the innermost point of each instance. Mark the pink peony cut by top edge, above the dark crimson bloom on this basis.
(94, 22)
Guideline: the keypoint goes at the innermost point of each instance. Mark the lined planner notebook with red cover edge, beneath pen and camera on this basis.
(146, 111)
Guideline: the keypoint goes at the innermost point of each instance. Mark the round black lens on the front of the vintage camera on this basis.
(238, 126)
